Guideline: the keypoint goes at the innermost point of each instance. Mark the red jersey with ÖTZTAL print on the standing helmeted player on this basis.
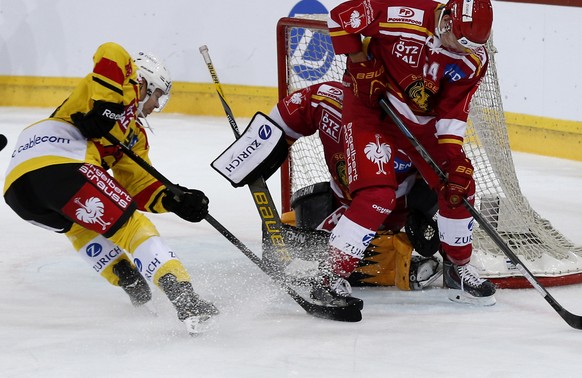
(428, 85)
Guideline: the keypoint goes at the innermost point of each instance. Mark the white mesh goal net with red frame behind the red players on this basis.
(305, 57)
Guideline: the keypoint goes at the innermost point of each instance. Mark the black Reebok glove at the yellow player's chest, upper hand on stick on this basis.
(98, 121)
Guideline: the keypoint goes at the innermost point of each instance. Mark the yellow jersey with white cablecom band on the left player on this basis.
(57, 141)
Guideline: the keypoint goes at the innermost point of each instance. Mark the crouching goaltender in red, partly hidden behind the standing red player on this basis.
(317, 109)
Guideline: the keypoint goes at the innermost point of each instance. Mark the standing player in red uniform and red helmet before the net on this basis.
(427, 59)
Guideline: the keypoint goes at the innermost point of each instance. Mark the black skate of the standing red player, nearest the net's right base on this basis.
(466, 285)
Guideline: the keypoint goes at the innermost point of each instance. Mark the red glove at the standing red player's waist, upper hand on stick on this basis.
(367, 80)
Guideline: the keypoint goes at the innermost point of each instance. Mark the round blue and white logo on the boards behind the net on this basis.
(311, 52)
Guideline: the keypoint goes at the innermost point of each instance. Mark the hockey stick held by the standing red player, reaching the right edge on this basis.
(575, 321)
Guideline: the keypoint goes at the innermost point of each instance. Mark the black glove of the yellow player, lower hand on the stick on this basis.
(192, 205)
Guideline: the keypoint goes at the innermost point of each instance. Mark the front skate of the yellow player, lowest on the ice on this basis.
(196, 313)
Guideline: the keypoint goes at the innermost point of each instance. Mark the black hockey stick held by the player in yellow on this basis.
(346, 314)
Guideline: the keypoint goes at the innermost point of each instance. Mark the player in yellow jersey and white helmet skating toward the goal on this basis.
(59, 179)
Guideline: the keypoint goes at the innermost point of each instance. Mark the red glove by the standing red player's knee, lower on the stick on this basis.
(460, 176)
